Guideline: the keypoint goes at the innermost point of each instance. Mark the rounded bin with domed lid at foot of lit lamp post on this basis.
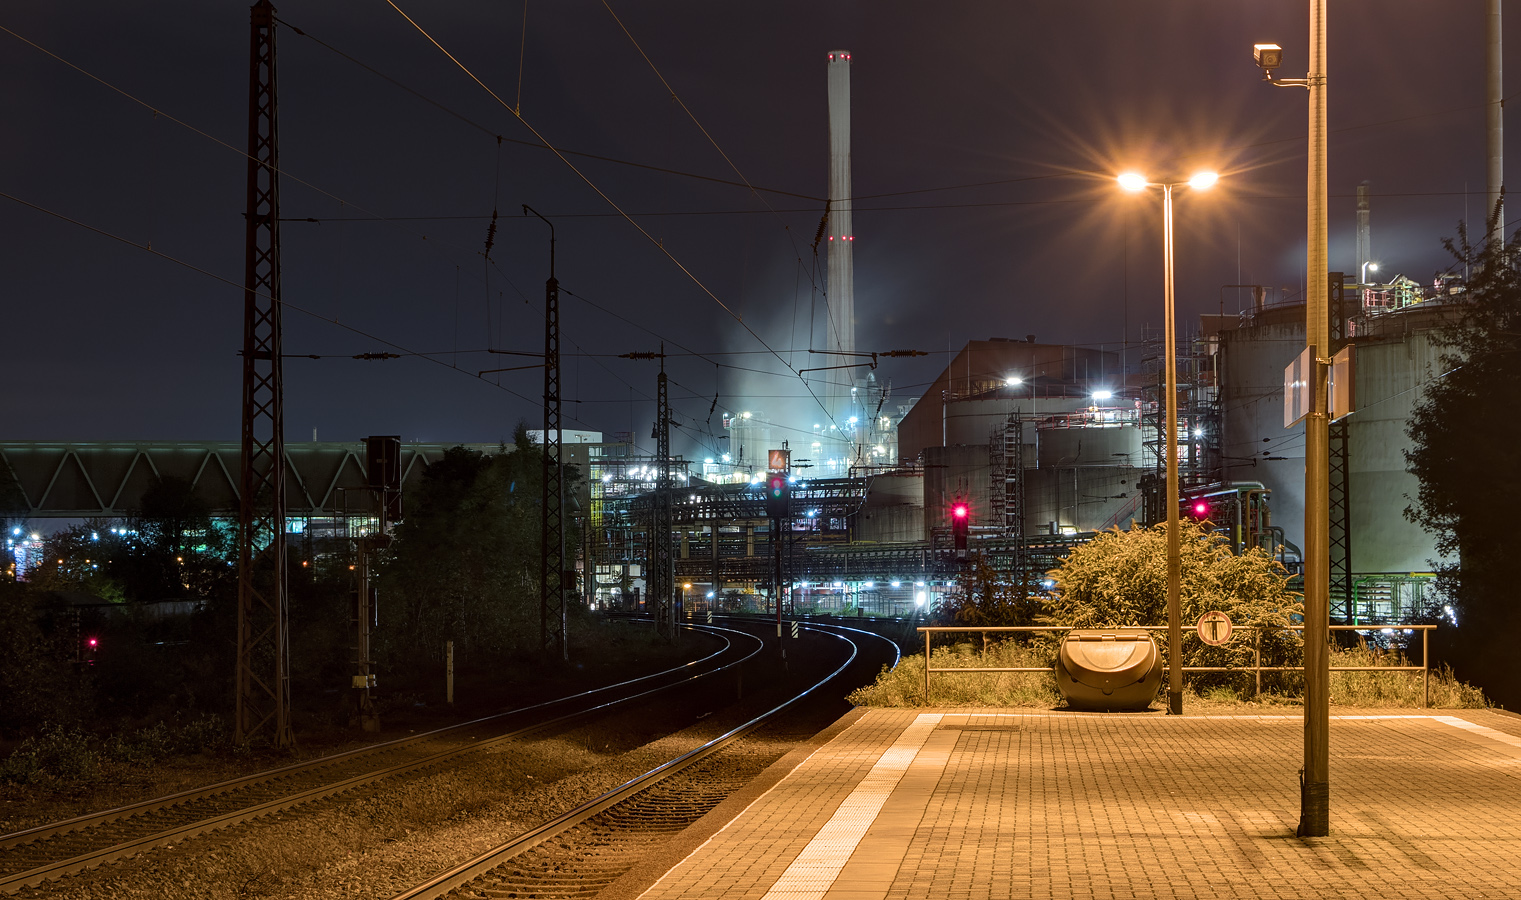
(1110, 670)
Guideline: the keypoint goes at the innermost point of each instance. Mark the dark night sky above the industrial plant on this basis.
(985, 142)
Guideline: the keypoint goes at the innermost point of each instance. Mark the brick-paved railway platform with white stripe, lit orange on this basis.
(1026, 805)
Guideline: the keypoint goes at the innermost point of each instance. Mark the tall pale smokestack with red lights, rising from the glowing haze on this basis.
(842, 236)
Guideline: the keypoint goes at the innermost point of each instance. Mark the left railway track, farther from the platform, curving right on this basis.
(56, 851)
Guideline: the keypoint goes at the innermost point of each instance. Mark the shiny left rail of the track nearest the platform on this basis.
(439, 887)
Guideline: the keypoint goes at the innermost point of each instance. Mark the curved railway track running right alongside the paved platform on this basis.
(585, 851)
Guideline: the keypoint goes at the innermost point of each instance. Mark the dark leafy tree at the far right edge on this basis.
(1464, 452)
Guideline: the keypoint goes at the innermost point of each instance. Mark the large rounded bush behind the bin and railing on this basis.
(1120, 580)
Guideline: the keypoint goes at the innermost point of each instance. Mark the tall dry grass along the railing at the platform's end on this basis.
(904, 688)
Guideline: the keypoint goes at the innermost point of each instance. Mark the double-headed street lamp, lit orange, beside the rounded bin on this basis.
(1135, 182)
